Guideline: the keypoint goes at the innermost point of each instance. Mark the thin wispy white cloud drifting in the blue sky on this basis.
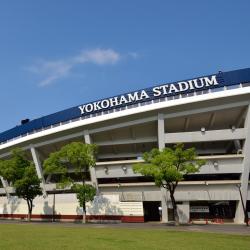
(51, 71)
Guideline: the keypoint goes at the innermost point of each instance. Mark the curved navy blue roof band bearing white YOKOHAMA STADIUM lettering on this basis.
(101, 107)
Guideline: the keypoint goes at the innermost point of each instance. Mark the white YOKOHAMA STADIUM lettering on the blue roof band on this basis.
(151, 93)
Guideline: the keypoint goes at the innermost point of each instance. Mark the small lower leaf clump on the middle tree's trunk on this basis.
(84, 193)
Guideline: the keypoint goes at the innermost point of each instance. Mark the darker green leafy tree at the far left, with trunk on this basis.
(21, 173)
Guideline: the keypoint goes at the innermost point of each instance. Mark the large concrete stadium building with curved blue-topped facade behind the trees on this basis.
(211, 113)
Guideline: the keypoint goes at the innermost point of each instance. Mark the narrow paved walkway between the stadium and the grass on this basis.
(212, 228)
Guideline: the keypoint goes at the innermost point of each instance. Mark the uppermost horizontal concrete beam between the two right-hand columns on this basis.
(210, 135)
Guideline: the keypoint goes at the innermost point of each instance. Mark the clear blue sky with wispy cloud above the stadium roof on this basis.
(58, 54)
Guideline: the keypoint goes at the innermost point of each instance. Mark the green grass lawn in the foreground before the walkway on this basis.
(25, 236)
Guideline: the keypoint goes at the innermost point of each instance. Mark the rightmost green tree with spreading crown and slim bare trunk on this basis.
(168, 166)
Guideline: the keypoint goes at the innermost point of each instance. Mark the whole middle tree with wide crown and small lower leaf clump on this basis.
(80, 157)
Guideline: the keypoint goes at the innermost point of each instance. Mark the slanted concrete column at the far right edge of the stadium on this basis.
(239, 215)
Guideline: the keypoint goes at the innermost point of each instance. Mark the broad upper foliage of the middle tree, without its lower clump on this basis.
(76, 155)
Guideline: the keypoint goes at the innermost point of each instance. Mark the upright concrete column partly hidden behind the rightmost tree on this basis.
(161, 145)
